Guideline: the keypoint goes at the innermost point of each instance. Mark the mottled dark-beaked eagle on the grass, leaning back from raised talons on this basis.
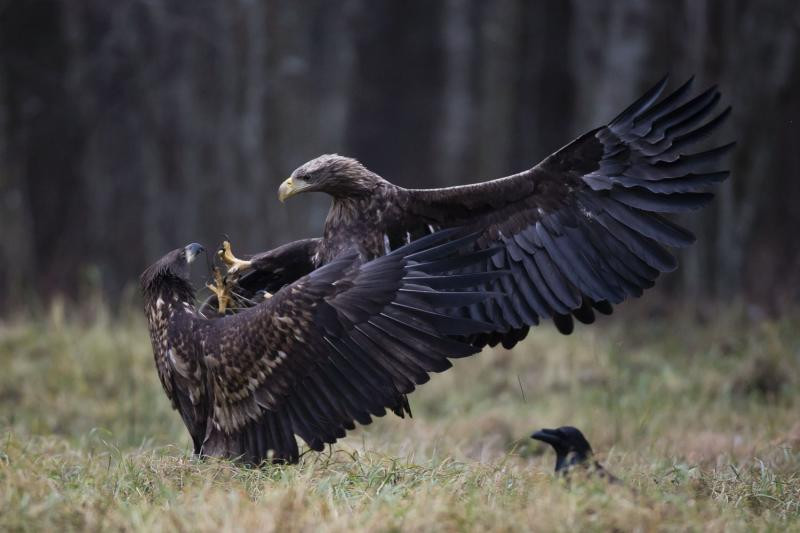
(339, 345)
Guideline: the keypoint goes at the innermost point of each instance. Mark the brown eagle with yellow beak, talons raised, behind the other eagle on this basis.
(581, 231)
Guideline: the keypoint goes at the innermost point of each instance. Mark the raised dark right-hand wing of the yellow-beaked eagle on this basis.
(583, 228)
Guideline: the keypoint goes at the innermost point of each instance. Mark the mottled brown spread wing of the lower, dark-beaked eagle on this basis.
(338, 346)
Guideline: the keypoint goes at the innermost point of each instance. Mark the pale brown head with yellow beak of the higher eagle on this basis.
(334, 174)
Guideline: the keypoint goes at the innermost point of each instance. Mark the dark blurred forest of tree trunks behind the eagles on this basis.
(131, 127)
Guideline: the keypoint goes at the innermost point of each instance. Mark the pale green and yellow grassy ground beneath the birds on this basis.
(702, 422)
